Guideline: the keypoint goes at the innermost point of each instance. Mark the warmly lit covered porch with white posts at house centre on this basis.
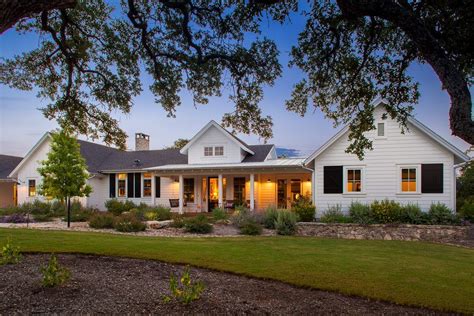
(188, 189)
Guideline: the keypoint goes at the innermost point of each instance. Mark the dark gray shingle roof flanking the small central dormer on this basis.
(102, 158)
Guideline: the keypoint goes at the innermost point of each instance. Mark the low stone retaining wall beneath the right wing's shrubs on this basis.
(436, 233)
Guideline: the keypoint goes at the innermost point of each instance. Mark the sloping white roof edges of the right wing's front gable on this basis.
(420, 126)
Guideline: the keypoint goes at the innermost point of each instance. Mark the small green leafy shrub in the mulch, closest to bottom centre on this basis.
(183, 289)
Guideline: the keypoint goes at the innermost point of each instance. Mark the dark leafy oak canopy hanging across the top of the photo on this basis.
(351, 51)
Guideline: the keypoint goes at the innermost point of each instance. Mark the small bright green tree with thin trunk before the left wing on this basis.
(64, 171)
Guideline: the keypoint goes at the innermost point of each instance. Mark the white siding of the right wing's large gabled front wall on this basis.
(381, 171)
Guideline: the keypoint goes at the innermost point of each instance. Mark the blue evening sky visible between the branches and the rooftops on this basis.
(22, 124)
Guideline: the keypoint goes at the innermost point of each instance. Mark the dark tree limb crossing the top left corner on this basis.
(13, 11)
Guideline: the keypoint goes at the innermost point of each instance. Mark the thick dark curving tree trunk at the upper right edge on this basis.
(452, 79)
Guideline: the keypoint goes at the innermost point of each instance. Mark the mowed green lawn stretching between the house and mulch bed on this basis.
(413, 273)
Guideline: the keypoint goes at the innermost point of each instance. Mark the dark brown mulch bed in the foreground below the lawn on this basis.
(119, 285)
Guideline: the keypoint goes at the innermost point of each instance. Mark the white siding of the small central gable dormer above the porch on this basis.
(213, 137)
